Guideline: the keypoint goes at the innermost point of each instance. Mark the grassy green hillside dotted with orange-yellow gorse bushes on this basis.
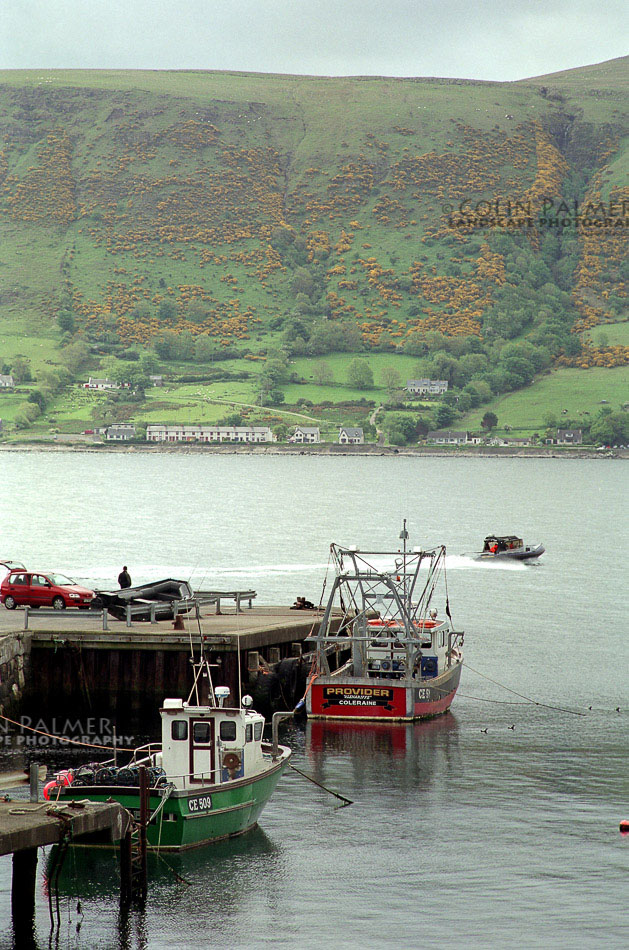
(410, 222)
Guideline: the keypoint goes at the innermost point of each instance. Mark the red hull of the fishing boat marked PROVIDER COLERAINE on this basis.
(369, 699)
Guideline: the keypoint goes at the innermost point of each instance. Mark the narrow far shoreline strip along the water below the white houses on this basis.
(324, 450)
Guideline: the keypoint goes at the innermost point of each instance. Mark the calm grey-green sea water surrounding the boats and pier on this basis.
(457, 836)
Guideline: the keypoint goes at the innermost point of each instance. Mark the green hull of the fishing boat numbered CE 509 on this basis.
(194, 817)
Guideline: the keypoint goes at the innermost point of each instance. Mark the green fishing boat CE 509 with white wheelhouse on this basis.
(209, 779)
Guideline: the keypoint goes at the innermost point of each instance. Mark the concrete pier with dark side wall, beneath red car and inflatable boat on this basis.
(72, 663)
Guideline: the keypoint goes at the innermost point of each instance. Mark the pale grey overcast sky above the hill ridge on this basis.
(486, 39)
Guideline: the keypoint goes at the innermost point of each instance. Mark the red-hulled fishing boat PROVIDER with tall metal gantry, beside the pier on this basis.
(405, 660)
